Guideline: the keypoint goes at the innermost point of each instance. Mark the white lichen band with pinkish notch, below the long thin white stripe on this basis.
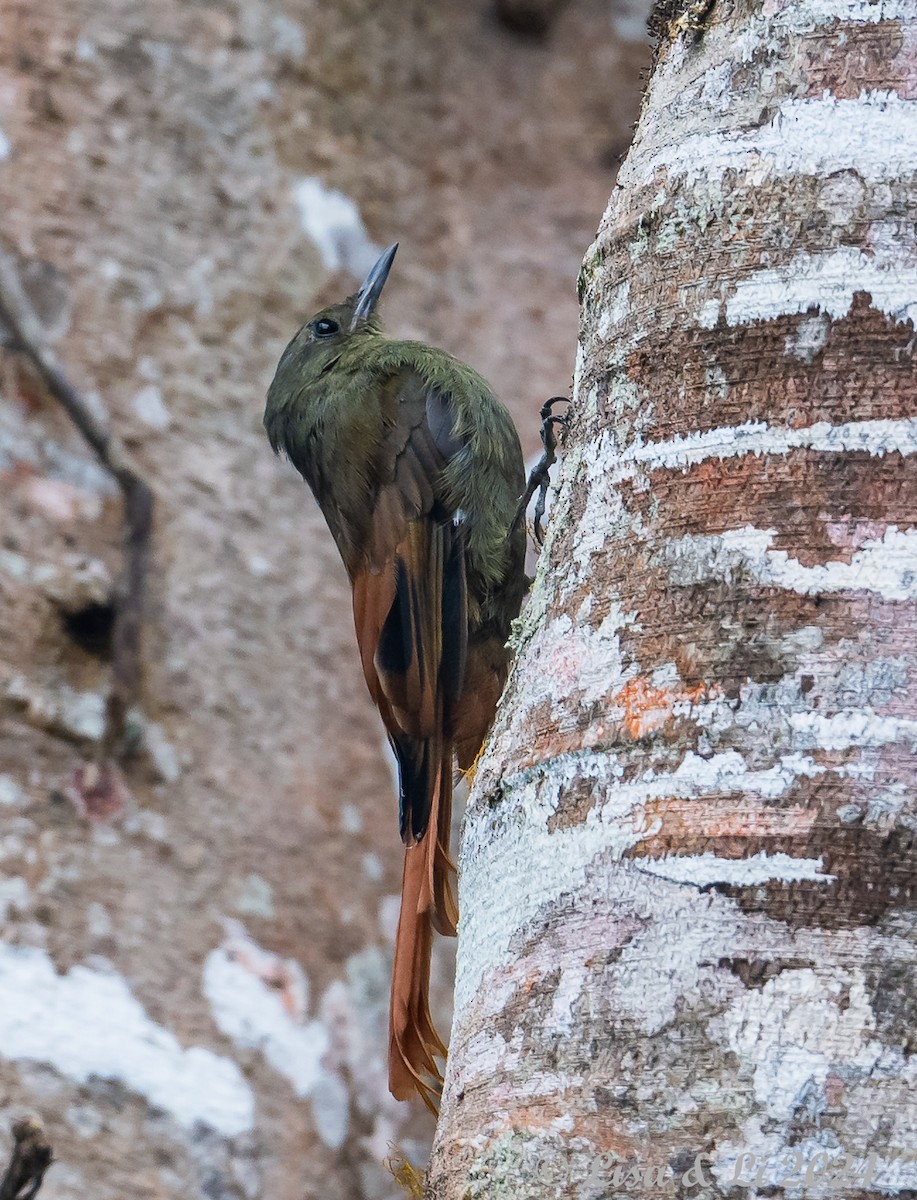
(886, 567)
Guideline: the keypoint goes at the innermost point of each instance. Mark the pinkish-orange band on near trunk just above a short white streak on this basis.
(687, 823)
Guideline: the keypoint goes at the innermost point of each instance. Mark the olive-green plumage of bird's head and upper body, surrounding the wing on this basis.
(327, 410)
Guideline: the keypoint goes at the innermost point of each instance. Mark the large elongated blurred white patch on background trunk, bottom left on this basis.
(88, 1024)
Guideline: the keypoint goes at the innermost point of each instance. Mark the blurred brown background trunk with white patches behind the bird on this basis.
(195, 976)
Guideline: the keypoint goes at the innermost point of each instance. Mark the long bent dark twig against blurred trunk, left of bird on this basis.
(17, 315)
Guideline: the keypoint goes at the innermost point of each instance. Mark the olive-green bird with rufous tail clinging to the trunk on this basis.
(418, 471)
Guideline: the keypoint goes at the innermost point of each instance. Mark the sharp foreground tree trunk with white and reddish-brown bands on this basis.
(688, 947)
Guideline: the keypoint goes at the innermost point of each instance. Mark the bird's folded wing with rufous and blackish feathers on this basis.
(411, 597)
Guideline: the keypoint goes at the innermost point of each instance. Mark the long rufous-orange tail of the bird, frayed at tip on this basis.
(428, 903)
